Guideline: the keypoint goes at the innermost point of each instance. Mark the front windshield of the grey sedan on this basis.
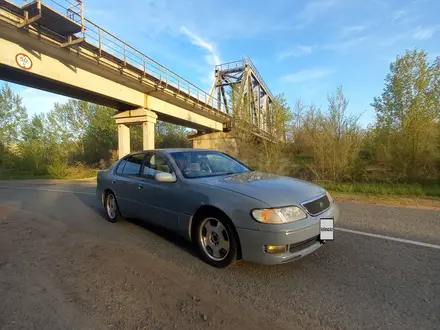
(198, 164)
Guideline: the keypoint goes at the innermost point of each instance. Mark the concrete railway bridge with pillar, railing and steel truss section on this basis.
(52, 47)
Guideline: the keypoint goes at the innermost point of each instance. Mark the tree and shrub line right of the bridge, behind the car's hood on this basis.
(329, 145)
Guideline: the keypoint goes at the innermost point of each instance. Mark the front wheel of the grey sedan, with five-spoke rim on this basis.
(216, 241)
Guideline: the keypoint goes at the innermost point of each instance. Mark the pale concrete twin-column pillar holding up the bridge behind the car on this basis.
(143, 117)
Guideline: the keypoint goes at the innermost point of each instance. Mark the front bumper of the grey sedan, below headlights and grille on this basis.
(302, 238)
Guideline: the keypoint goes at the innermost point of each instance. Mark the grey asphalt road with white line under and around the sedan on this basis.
(356, 282)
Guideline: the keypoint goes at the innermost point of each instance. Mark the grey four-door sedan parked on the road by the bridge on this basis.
(228, 210)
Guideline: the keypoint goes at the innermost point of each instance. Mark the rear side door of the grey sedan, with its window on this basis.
(124, 185)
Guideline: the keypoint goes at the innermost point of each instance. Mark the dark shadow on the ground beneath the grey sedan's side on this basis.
(161, 232)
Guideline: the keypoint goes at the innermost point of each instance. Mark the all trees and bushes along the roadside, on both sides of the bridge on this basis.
(398, 154)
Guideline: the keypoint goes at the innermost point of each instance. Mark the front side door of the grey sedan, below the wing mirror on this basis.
(159, 198)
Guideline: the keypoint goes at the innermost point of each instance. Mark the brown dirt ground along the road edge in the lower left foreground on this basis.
(53, 276)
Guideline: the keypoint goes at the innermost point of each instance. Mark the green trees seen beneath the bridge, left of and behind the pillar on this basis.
(73, 135)
